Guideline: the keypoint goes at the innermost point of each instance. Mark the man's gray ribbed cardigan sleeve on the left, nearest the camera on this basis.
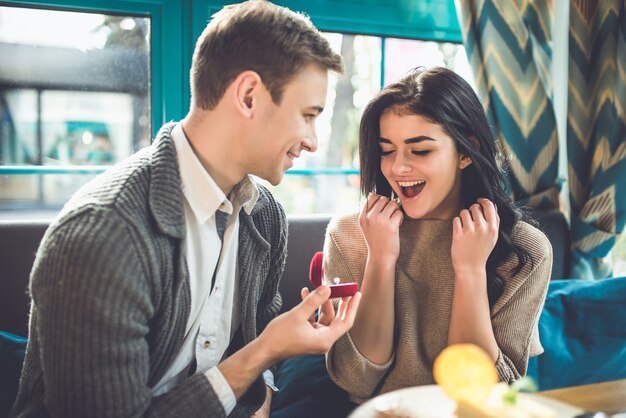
(93, 299)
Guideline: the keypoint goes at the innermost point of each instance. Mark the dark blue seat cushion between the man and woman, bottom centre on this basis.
(305, 390)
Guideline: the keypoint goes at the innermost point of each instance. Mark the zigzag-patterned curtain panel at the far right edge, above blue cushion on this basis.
(596, 132)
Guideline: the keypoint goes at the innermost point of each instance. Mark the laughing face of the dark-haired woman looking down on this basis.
(422, 165)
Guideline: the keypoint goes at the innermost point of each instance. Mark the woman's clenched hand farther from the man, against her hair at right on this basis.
(474, 236)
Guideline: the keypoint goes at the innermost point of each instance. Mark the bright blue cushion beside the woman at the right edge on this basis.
(583, 331)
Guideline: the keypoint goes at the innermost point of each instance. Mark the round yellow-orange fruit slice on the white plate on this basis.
(465, 372)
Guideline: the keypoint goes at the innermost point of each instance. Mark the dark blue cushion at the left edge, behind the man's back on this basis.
(12, 350)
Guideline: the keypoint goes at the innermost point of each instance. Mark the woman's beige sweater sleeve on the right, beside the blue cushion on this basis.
(515, 315)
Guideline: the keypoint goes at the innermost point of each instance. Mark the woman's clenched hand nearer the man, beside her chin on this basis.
(380, 221)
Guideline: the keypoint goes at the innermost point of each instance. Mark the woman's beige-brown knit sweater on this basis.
(423, 303)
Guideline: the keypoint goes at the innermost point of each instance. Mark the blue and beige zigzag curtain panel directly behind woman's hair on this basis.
(508, 44)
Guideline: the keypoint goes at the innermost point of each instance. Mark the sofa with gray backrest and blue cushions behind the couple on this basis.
(582, 327)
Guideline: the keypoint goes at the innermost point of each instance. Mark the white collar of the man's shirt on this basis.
(200, 190)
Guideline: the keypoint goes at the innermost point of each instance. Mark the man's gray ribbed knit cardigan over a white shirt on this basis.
(110, 296)
